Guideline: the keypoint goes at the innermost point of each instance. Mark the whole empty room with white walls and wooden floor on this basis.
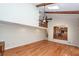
(39, 29)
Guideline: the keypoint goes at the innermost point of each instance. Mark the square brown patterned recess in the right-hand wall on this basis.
(60, 33)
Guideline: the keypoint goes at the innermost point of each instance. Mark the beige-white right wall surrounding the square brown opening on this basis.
(69, 20)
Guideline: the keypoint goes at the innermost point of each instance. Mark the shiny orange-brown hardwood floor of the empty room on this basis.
(43, 48)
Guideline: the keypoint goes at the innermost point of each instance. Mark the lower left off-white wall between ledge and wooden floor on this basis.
(16, 35)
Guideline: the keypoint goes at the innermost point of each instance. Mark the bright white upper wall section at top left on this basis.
(22, 13)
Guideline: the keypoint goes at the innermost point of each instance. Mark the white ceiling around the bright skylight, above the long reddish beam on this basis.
(62, 7)
